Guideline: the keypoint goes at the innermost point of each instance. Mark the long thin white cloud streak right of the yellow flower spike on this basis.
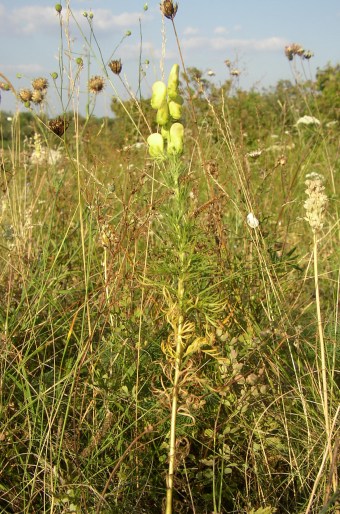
(222, 43)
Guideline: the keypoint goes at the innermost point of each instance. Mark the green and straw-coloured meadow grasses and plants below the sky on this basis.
(168, 323)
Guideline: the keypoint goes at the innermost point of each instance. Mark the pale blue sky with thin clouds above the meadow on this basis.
(250, 33)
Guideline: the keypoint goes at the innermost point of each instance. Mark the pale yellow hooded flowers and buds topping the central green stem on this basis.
(168, 103)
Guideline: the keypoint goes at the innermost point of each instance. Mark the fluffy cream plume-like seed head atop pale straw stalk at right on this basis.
(316, 202)
